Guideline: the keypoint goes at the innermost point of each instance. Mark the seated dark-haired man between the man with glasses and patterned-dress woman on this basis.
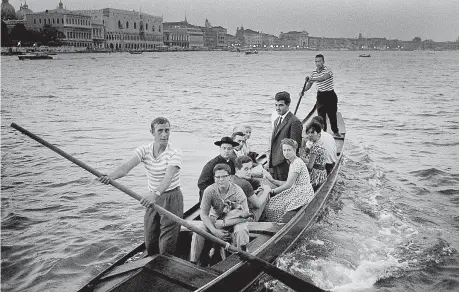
(243, 178)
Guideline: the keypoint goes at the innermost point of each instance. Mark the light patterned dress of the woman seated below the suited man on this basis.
(299, 194)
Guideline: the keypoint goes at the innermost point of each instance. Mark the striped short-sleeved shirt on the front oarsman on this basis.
(156, 167)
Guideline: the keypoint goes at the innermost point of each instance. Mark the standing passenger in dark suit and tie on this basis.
(286, 125)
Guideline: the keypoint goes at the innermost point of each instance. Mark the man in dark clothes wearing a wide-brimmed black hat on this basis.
(226, 156)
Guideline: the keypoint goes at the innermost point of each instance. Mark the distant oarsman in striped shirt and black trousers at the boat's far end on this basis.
(327, 101)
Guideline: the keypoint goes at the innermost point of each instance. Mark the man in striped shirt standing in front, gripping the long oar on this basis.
(162, 164)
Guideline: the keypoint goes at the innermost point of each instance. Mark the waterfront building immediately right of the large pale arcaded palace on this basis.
(182, 35)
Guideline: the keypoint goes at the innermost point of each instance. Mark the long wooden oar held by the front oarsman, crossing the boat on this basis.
(288, 279)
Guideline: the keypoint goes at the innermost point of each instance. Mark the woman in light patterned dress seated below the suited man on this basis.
(291, 194)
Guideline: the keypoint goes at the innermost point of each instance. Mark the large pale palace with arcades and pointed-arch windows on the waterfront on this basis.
(127, 30)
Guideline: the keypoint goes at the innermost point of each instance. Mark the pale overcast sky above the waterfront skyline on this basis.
(394, 19)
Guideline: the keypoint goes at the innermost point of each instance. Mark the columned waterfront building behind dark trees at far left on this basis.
(75, 27)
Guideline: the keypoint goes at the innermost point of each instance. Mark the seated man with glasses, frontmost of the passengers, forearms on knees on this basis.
(220, 198)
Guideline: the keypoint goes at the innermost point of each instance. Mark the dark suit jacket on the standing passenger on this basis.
(290, 127)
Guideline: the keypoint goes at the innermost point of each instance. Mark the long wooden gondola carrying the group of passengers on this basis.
(268, 240)
